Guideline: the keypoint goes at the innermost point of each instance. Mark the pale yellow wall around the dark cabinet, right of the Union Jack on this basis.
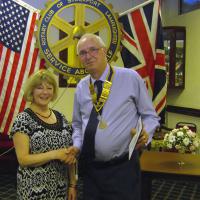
(190, 96)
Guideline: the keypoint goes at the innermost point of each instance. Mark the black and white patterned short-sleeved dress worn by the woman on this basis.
(48, 181)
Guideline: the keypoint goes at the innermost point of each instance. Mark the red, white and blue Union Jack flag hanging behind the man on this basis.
(143, 49)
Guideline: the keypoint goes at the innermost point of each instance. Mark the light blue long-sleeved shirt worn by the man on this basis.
(128, 99)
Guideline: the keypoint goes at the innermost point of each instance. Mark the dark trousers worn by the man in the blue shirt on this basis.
(121, 181)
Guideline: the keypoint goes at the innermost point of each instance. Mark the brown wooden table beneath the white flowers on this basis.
(167, 165)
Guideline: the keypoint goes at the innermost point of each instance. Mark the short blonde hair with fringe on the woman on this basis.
(36, 79)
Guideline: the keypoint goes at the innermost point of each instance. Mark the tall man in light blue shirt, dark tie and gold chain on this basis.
(108, 173)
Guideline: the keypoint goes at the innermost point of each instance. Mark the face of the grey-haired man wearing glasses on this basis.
(92, 55)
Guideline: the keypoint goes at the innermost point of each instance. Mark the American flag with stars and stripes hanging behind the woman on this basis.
(18, 57)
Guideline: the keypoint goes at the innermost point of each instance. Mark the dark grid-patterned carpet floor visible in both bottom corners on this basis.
(161, 189)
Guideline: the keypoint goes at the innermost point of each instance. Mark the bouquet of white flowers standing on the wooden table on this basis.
(182, 140)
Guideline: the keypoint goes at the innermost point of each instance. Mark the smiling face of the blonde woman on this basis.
(43, 94)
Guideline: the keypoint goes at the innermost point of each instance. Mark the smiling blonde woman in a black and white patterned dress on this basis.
(41, 137)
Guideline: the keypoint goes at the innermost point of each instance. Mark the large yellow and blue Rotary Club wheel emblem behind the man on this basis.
(62, 24)
